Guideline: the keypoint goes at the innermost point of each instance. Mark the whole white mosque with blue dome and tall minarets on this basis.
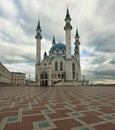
(58, 67)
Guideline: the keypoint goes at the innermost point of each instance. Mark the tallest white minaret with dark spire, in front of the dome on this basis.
(68, 29)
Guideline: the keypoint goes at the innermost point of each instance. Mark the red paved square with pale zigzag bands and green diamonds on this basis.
(57, 108)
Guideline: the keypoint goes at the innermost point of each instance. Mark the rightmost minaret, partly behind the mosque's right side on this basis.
(77, 43)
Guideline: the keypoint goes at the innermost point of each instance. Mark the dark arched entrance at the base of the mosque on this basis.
(44, 79)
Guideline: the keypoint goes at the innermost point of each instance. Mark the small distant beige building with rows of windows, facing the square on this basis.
(18, 78)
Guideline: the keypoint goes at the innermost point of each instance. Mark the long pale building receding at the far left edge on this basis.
(5, 75)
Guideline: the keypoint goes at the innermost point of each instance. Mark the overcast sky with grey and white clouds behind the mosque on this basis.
(95, 20)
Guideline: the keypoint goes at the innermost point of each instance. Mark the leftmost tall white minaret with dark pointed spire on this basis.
(38, 43)
